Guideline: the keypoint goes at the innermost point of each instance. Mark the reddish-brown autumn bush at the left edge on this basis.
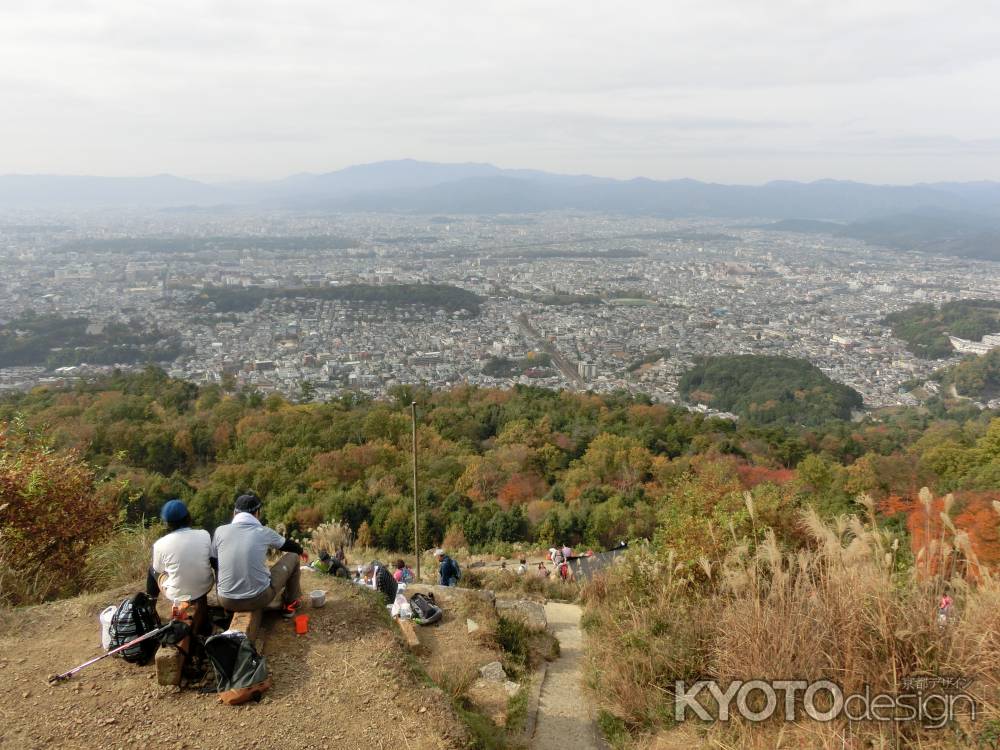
(51, 512)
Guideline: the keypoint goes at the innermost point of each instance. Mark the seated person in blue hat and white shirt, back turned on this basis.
(181, 568)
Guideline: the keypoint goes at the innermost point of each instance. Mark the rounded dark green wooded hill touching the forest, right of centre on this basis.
(765, 390)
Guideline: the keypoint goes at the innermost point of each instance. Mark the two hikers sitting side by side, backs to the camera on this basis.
(187, 562)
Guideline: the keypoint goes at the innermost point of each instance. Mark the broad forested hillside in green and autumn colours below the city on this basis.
(496, 466)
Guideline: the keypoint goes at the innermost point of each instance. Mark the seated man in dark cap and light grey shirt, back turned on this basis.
(245, 582)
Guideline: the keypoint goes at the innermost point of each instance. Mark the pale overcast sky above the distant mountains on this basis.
(723, 90)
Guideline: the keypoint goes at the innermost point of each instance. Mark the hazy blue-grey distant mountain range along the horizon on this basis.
(425, 187)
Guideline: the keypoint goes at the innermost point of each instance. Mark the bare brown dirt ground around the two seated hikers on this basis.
(346, 684)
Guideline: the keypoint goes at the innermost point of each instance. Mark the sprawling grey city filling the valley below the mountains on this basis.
(580, 301)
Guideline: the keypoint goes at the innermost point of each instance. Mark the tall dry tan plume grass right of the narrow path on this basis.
(843, 608)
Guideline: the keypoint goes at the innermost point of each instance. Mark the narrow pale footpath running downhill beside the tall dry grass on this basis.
(565, 716)
